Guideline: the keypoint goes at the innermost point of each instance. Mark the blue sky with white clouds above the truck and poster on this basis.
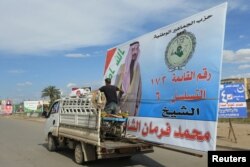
(63, 43)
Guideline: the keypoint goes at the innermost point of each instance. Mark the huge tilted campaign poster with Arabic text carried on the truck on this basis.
(170, 78)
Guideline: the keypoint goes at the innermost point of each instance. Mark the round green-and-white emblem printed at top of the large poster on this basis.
(179, 50)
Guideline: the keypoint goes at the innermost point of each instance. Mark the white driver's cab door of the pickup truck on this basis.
(52, 122)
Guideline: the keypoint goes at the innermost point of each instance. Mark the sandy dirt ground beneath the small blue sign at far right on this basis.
(242, 135)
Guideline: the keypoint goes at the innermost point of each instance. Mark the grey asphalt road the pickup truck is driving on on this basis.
(22, 145)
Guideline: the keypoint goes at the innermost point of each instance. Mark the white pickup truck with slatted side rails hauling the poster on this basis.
(77, 123)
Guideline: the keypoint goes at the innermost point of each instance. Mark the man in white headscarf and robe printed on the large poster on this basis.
(129, 80)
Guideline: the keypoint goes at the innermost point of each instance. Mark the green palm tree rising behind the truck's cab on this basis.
(52, 92)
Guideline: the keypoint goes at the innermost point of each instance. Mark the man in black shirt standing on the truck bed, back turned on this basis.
(111, 96)
